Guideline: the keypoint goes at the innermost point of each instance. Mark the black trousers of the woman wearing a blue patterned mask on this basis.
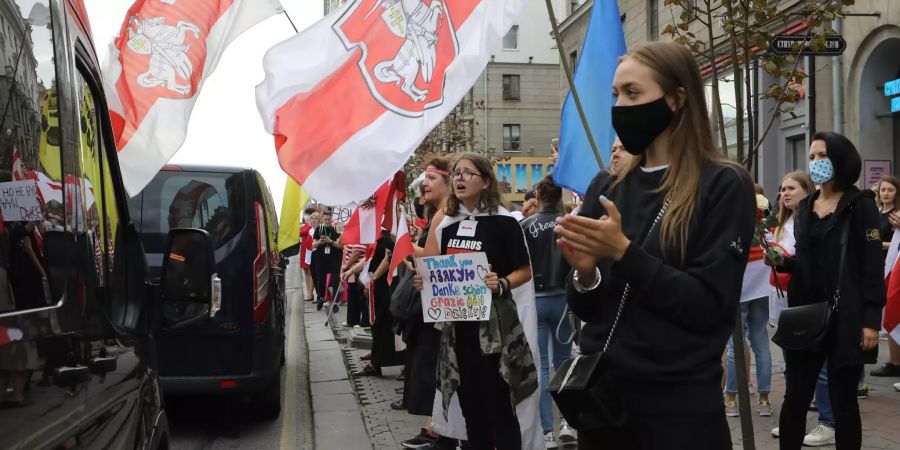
(801, 374)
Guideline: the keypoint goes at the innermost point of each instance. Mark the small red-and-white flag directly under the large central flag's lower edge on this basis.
(376, 212)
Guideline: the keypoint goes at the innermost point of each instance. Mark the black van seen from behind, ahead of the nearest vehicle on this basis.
(230, 341)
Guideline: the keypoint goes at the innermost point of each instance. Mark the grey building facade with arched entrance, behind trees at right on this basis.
(855, 94)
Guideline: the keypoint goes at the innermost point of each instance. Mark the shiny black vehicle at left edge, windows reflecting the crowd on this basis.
(77, 365)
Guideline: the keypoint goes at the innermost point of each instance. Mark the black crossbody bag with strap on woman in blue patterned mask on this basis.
(806, 327)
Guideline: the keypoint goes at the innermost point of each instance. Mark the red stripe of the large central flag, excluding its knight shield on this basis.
(320, 122)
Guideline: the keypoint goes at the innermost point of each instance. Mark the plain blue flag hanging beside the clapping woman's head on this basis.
(604, 43)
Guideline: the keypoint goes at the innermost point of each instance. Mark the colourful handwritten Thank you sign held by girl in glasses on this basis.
(453, 287)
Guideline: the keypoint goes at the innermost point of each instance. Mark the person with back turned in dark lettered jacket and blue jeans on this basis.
(550, 271)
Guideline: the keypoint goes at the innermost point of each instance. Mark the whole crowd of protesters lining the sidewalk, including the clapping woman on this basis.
(620, 314)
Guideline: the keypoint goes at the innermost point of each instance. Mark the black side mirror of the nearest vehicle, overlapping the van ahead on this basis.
(188, 269)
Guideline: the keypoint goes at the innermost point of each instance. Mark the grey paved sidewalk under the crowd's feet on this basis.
(386, 427)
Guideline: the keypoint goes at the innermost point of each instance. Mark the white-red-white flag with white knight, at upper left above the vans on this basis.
(157, 65)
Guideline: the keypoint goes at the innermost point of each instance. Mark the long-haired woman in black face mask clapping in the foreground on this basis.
(683, 275)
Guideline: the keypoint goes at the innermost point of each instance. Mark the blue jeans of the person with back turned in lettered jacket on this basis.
(550, 311)
